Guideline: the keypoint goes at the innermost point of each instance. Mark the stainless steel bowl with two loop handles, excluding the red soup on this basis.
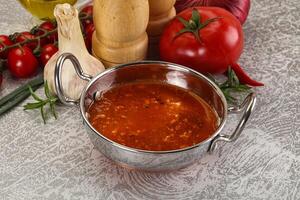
(162, 72)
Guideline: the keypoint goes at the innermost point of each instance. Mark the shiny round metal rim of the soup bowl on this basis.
(175, 66)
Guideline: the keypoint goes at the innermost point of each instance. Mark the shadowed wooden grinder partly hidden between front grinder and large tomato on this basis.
(161, 12)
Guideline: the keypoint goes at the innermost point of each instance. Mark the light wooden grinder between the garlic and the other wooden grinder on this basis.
(120, 31)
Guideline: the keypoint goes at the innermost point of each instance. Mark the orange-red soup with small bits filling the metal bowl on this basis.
(152, 116)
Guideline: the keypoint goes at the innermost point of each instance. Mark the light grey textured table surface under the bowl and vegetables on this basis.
(57, 160)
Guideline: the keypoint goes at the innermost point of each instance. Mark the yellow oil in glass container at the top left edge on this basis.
(43, 9)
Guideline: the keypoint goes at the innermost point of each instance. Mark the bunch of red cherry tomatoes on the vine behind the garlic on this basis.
(22, 52)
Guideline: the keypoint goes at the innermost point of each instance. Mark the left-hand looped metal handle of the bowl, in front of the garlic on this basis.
(57, 77)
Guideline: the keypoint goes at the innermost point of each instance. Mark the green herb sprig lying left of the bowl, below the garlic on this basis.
(41, 103)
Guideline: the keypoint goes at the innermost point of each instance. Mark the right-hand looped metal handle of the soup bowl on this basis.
(247, 106)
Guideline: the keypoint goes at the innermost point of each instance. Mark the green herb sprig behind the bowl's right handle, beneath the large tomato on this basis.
(231, 86)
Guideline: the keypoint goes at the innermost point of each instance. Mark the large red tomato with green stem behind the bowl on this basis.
(208, 39)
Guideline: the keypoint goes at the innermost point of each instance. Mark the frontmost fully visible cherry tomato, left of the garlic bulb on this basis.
(21, 62)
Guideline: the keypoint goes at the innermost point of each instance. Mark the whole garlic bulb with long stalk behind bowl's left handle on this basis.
(70, 40)
